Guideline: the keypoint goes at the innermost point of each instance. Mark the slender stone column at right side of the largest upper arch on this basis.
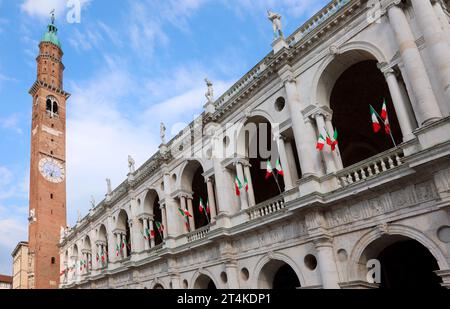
(400, 105)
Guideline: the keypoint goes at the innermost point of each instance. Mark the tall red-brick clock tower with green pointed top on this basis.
(47, 213)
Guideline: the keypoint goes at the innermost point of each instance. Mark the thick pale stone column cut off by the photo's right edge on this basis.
(436, 41)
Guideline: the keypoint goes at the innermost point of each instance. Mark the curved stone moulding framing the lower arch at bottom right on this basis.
(401, 230)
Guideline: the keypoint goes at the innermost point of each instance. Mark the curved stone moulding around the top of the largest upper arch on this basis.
(362, 46)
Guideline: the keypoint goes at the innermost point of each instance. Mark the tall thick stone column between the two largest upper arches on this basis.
(304, 133)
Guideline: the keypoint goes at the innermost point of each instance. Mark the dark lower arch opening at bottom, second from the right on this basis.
(279, 275)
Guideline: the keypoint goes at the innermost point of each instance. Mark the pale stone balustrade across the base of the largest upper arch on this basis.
(371, 167)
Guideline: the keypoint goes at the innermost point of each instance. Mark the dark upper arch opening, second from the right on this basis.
(261, 148)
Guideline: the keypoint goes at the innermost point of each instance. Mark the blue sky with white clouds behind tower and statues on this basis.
(129, 65)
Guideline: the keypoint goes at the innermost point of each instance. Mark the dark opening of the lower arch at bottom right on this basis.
(405, 263)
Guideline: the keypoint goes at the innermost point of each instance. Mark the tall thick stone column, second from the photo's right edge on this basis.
(426, 109)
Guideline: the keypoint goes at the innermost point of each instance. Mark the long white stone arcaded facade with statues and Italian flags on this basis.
(337, 210)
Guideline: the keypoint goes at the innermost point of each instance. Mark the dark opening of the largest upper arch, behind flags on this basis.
(357, 87)
